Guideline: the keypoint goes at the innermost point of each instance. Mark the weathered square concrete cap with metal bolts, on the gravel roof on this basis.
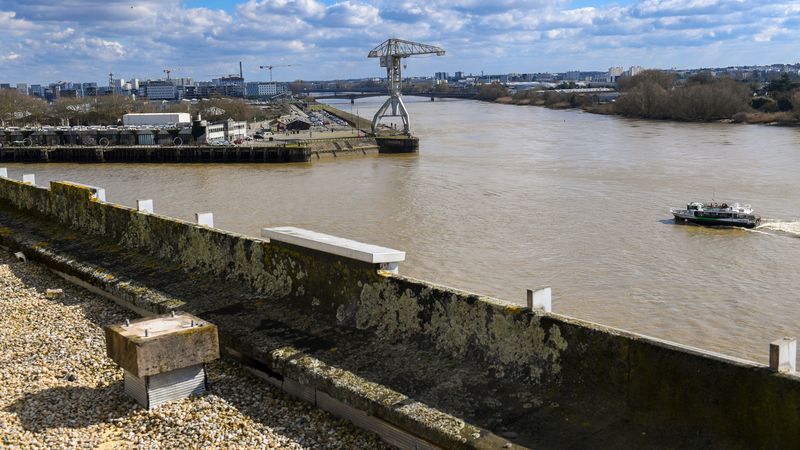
(161, 344)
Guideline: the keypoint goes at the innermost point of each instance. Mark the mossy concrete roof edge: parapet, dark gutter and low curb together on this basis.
(447, 365)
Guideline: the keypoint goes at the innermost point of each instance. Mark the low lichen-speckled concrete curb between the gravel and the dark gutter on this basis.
(369, 406)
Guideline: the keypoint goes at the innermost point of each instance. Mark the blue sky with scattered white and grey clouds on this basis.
(83, 40)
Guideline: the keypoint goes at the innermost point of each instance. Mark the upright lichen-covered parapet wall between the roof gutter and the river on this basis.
(652, 379)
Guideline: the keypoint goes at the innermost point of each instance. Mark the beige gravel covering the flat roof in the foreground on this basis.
(59, 390)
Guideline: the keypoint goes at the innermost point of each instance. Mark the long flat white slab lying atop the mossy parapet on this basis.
(336, 245)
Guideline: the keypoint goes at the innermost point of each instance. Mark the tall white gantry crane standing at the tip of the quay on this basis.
(391, 52)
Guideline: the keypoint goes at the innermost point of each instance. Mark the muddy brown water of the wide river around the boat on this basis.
(503, 198)
